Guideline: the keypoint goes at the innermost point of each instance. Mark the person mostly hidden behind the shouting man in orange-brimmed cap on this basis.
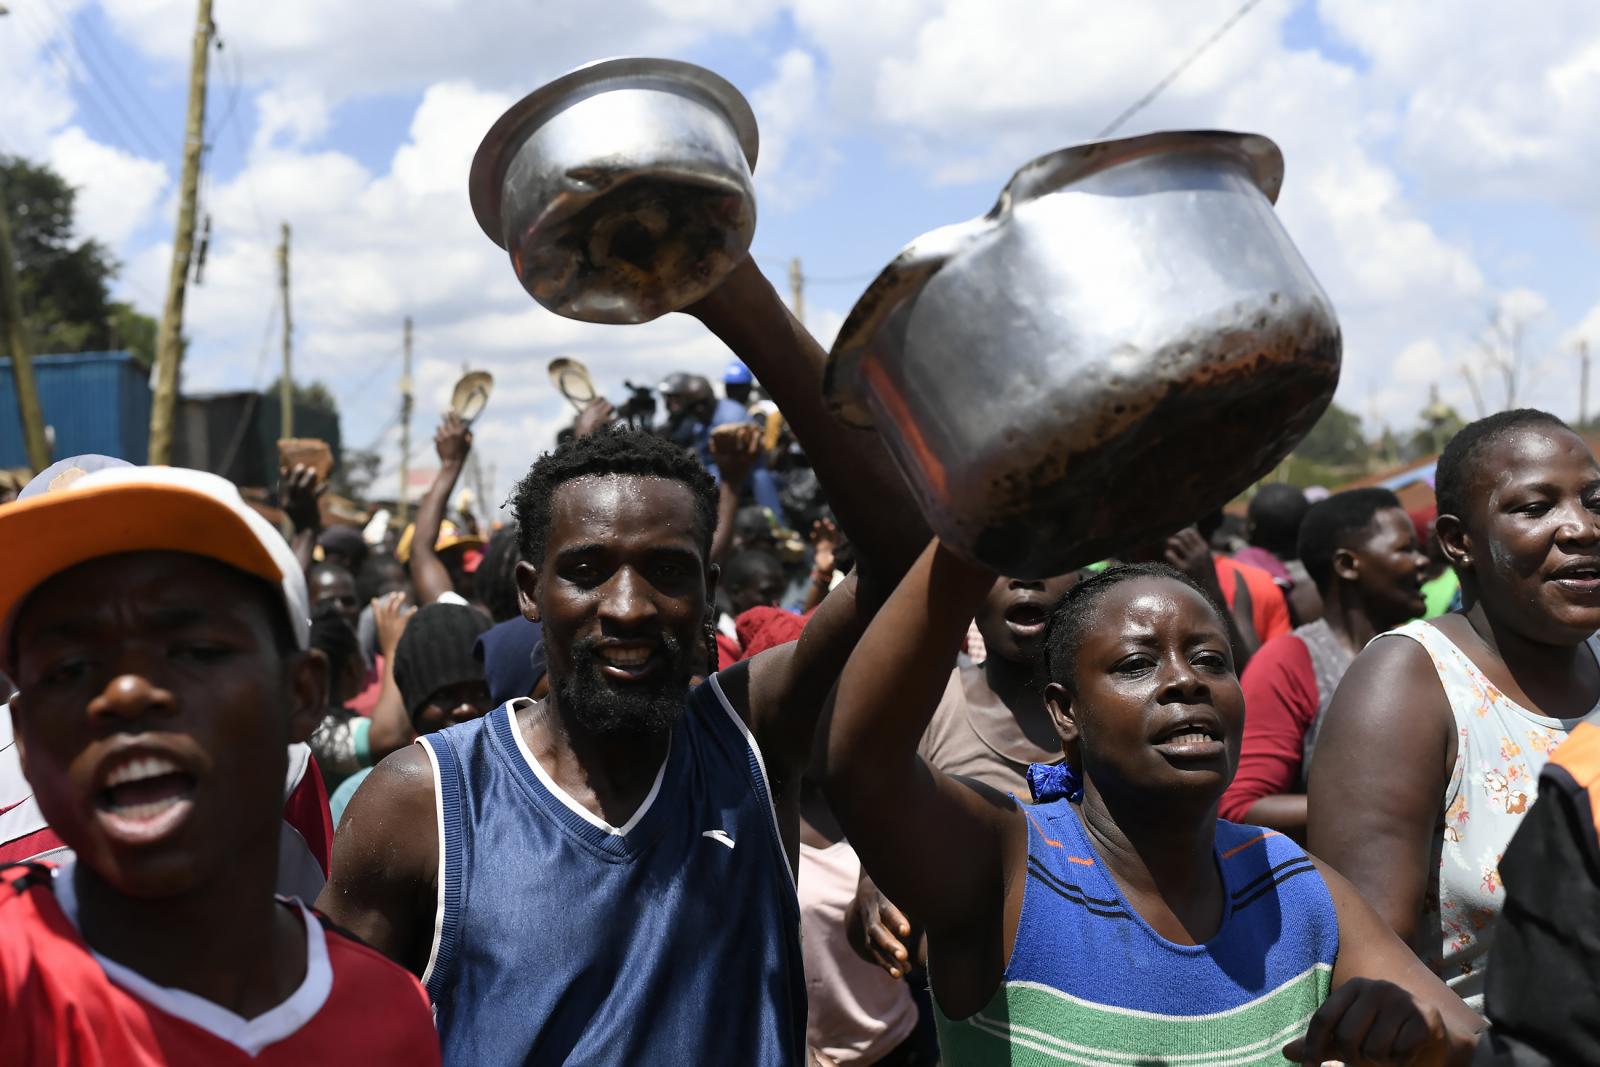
(306, 836)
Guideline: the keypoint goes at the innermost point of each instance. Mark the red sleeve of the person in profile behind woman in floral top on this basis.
(1281, 705)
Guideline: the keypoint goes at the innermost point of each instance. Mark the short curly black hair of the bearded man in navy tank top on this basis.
(618, 452)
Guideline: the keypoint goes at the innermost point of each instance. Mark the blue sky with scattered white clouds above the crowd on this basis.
(1436, 166)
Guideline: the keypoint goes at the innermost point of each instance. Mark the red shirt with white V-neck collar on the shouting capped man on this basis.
(65, 1007)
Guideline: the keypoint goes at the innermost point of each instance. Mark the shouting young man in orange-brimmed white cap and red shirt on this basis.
(158, 633)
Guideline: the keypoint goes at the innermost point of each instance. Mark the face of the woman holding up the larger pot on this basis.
(1158, 706)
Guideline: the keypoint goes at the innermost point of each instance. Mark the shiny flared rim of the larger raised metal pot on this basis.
(919, 262)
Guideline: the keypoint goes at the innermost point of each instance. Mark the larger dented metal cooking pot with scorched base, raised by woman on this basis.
(1121, 346)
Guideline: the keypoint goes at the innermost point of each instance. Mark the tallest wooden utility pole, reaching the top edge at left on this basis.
(170, 337)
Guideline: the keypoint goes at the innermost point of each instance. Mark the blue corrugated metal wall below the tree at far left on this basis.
(97, 402)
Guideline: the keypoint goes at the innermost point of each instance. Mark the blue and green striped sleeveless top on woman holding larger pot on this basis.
(1090, 983)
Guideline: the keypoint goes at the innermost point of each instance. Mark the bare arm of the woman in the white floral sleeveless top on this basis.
(1375, 823)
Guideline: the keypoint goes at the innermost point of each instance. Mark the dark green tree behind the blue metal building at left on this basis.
(66, 284)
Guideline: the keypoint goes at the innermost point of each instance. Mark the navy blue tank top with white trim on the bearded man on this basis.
(674, 940)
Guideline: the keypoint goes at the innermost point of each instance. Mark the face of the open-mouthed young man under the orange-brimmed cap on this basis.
(154, 714)
